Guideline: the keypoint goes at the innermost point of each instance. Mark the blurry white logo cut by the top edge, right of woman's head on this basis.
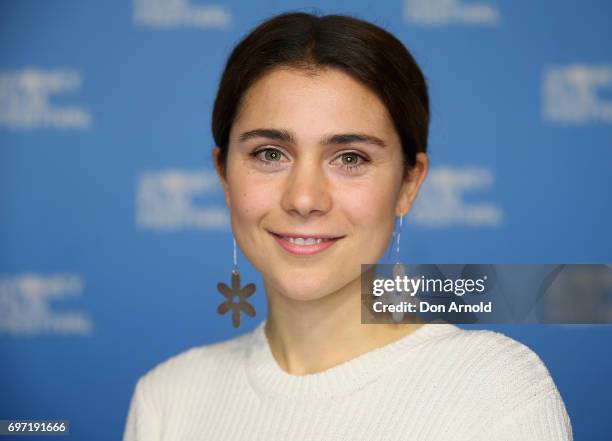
(441, 12)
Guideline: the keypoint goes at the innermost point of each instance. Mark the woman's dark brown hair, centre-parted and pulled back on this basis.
(361, 49)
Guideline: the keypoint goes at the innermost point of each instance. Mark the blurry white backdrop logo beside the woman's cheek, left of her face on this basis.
(166, 201)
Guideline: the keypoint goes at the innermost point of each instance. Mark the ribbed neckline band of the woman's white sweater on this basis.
(268, 379)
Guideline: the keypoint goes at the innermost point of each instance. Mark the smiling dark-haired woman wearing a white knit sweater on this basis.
(321, 128)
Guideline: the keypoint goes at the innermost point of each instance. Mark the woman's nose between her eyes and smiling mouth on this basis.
(306, 192)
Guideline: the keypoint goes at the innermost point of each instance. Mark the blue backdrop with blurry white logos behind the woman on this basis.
(113, 229)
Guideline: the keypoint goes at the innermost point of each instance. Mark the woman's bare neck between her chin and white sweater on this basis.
(311, 336)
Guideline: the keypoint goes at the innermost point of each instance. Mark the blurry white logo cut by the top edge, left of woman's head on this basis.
(166, 14)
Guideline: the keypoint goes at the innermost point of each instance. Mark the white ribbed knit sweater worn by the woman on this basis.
(438, 383)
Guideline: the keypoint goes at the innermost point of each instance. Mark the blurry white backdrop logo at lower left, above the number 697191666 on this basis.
(26, 310)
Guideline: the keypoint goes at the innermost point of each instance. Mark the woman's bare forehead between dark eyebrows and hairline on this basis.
(324, 101)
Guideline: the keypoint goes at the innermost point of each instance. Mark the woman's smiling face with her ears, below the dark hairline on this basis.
(314, 156)
